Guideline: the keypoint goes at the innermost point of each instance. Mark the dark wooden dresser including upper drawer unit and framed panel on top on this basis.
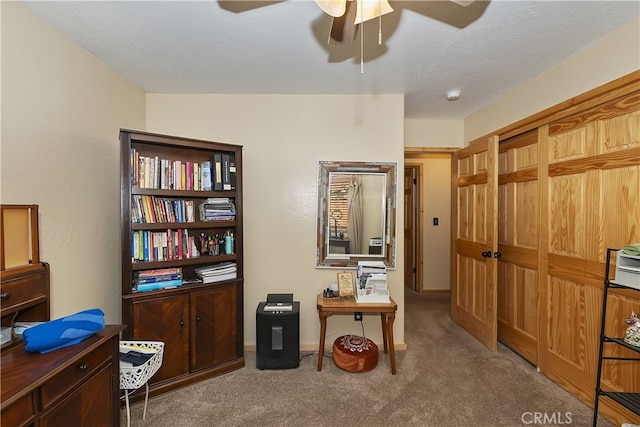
(77, 385)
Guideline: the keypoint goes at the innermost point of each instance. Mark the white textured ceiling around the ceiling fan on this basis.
(280, 47)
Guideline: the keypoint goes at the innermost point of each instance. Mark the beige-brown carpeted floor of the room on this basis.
(445, 378)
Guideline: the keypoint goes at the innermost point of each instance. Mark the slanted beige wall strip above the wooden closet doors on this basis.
(613, 56)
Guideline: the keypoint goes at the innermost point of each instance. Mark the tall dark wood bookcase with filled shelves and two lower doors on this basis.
(201, 325)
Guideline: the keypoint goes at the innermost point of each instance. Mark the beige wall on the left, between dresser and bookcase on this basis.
(61, 112)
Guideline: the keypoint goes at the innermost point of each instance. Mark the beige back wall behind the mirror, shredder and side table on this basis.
(284, 138)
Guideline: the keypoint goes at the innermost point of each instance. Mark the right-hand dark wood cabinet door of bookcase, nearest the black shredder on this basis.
(214, 326)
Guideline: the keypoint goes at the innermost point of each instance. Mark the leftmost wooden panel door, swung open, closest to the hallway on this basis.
(474, 212)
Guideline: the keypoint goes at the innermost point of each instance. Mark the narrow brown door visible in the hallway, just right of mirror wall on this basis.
(410, 224)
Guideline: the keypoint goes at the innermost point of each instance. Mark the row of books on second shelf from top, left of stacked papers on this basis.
(151, 209)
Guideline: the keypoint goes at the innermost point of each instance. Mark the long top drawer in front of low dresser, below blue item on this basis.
(72, 376)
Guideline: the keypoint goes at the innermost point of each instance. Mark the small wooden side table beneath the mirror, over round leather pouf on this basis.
(329, 306)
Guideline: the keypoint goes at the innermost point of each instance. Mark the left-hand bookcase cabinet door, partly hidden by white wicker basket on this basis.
(166, 320)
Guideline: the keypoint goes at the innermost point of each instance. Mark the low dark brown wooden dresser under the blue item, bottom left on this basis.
(72, 386)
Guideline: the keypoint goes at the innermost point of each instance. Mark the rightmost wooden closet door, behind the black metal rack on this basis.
(593, 198)
